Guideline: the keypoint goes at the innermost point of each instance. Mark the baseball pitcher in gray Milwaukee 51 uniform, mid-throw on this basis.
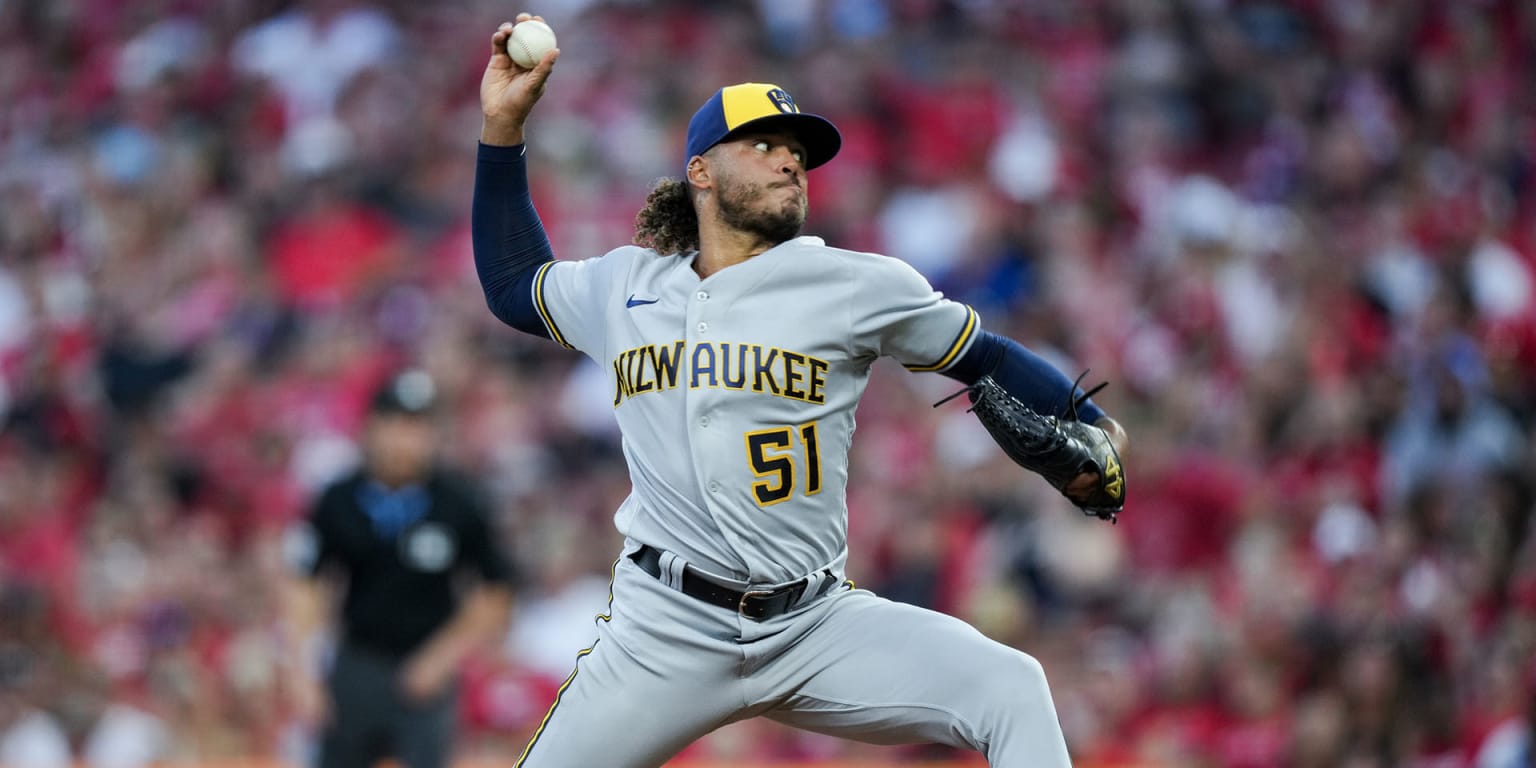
(738, 353)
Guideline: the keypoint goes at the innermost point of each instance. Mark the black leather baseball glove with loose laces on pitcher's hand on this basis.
(1058, 448)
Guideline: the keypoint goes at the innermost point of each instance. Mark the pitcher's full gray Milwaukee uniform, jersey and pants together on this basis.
(737, 399)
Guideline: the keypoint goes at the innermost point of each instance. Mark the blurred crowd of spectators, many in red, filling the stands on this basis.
(1299, 237)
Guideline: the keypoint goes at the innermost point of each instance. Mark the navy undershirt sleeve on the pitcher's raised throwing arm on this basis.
(509, 239)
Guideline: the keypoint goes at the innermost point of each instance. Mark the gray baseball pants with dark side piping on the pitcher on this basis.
(669, 669)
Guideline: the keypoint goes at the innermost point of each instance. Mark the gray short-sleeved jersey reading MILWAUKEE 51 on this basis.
(737, 394)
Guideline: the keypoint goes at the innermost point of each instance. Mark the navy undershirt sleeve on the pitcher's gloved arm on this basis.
(1024, 374)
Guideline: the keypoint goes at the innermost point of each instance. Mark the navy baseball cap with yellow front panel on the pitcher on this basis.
(761, 107)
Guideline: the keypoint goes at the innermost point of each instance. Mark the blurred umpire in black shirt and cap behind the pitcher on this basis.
(425, 586)
